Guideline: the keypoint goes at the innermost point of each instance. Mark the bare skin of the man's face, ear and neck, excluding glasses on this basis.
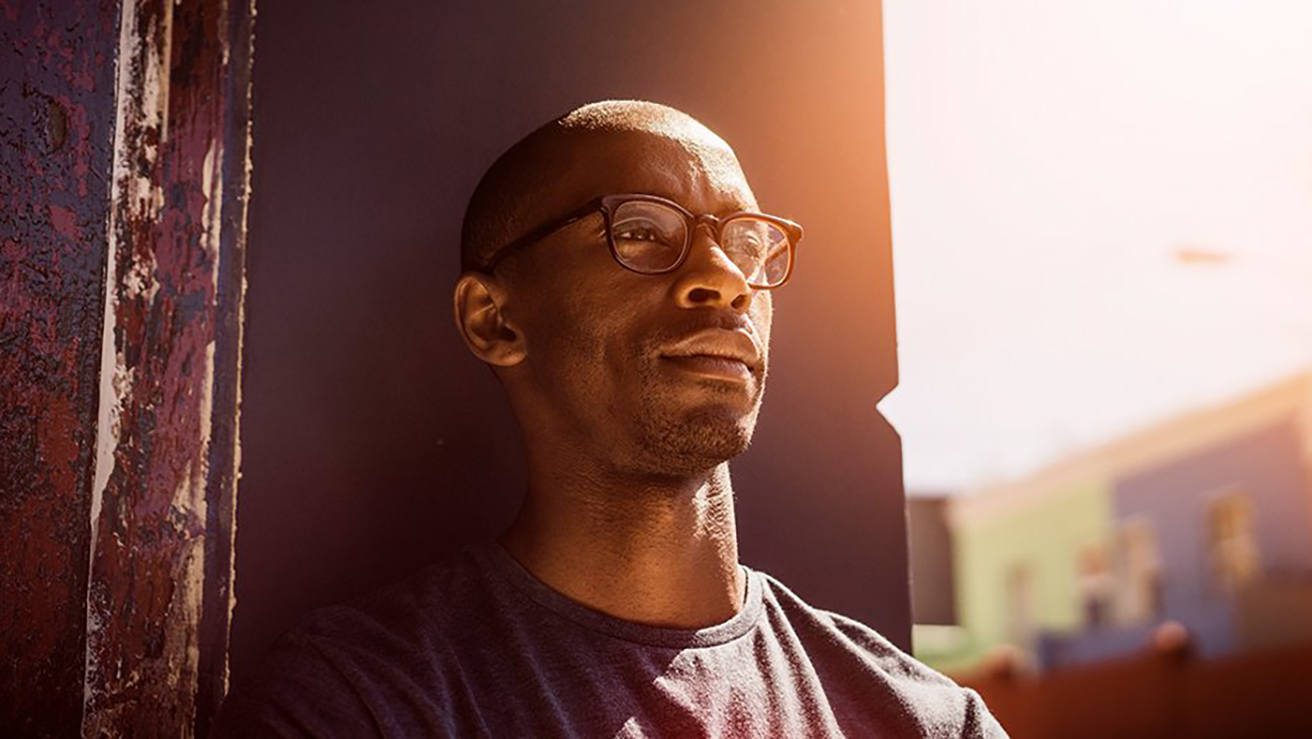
(629, 406)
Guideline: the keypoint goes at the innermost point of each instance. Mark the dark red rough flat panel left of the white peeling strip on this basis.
(57, 116)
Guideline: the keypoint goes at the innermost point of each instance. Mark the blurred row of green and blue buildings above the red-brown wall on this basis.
(1202, 522)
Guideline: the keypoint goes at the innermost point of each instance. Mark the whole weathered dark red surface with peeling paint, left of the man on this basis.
(123, 276)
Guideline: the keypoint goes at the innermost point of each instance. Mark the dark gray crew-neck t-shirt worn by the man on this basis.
(481, 648)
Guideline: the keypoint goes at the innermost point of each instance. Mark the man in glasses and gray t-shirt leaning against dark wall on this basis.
(617, 280)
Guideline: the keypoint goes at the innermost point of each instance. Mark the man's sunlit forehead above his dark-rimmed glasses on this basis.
(693, 169)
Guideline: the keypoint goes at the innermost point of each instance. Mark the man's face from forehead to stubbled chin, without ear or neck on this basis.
(633, 367)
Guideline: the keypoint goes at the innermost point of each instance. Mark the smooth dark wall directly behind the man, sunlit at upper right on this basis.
(373, 443)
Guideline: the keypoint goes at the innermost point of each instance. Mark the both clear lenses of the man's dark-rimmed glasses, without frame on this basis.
(650, 237)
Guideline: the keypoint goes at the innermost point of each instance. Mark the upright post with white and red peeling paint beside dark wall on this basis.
(150, 580)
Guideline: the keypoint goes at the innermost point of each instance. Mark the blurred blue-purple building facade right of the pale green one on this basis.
(1213, 532)
